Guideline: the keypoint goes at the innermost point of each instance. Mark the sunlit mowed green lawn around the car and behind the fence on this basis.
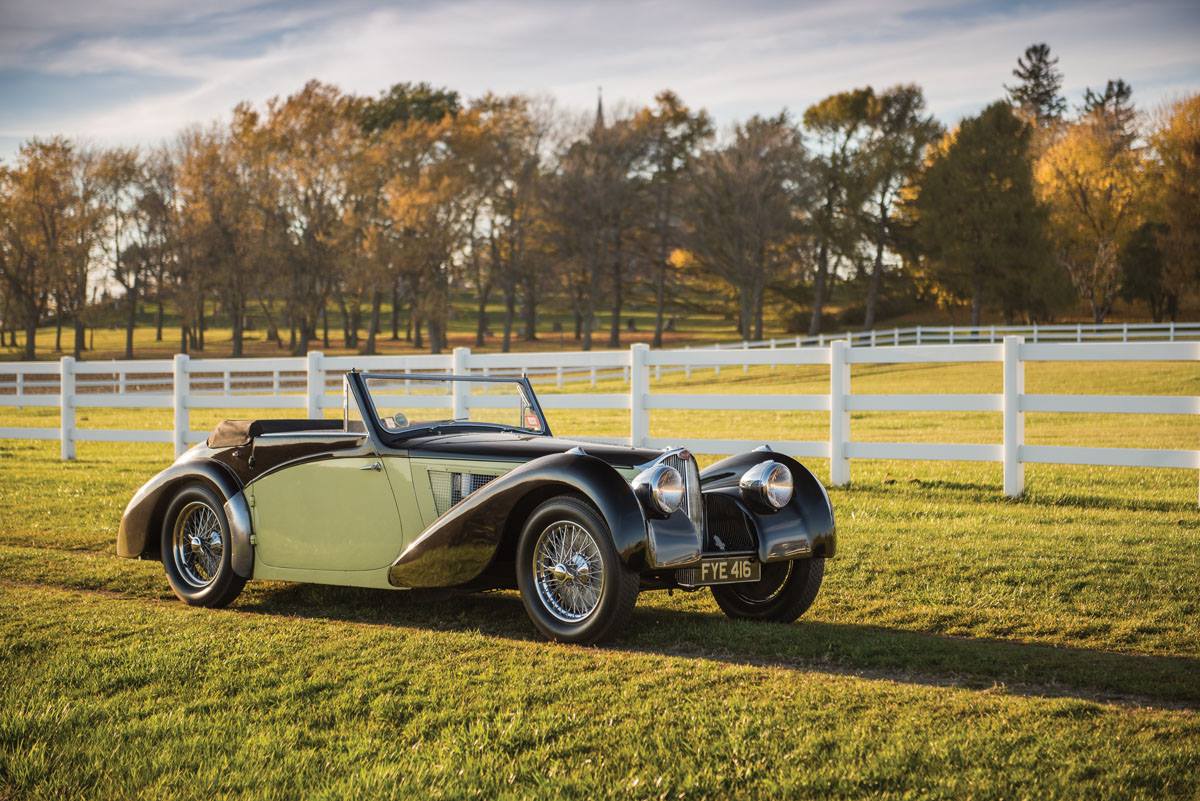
(963, 646)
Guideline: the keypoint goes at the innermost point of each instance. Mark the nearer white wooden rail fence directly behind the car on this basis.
(314, 384)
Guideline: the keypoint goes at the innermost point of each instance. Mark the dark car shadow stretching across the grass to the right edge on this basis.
(812, 646)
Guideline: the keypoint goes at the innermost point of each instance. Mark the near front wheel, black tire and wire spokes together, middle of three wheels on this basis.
(573, 583)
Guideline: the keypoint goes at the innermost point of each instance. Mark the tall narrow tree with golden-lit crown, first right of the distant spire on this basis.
(675, 137)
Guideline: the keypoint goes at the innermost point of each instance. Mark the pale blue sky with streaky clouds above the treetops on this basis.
(129, 73)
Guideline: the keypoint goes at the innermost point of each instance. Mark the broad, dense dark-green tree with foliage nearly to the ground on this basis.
(977, 221)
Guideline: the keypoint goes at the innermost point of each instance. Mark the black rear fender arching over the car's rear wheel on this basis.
(142, 521)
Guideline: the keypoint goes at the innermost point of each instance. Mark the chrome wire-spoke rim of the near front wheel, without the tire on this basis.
(568, 571)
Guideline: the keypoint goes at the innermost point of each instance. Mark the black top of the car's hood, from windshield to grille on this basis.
(521, 448)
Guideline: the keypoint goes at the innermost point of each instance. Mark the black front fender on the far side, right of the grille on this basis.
(803, 528)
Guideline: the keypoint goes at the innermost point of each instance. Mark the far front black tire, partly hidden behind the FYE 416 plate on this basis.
(784, 594)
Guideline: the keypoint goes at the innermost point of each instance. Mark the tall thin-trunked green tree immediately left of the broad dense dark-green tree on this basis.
(899, 134)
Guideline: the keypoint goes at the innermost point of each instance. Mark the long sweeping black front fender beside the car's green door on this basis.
(460, 545)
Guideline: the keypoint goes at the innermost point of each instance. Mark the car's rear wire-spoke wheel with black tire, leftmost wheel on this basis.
(207, 579)
